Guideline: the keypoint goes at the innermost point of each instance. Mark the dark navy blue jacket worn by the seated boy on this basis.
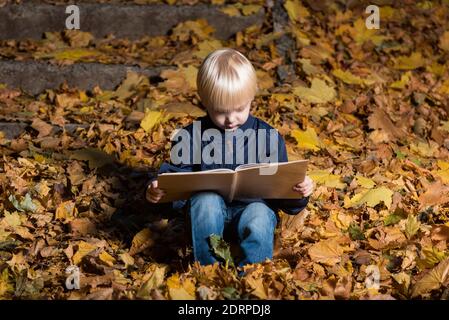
(289, 206)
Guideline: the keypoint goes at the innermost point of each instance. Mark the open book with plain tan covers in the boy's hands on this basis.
(256, 180)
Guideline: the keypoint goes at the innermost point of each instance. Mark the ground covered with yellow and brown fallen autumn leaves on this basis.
(368, 108)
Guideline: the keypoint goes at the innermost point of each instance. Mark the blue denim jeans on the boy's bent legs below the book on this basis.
(254, 224)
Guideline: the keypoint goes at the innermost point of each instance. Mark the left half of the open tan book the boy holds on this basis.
(182, 185)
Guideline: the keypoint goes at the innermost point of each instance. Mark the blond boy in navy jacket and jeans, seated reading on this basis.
(227, 85)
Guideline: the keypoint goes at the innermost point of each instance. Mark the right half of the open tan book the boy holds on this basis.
(252, 184)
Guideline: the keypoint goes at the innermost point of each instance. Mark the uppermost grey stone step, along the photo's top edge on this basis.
(32, 19)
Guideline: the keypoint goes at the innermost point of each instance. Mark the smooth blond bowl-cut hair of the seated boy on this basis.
(226, 80)
